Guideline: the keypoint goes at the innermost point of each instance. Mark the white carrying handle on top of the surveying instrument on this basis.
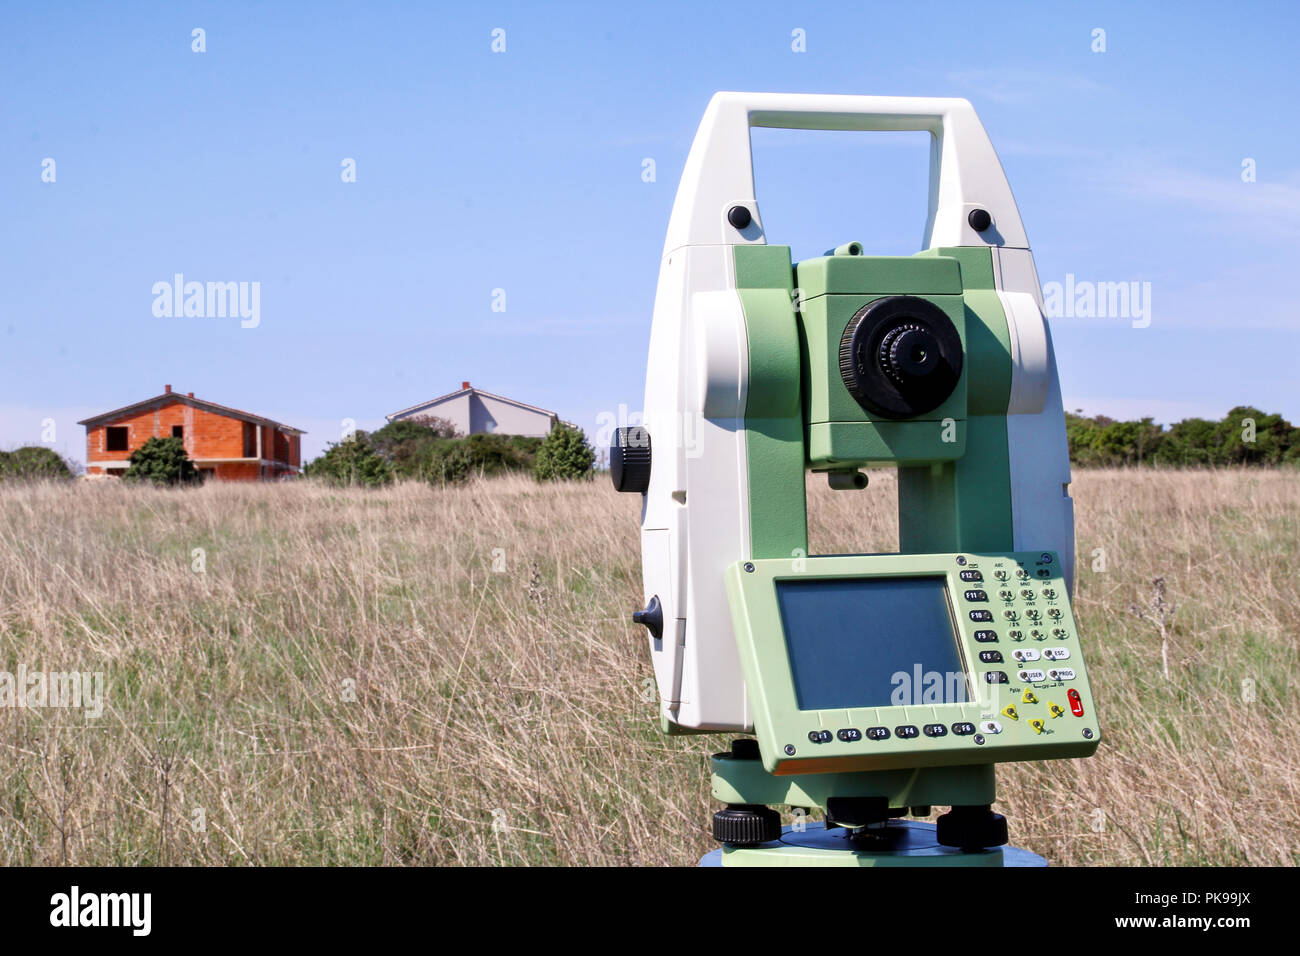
(965, 174)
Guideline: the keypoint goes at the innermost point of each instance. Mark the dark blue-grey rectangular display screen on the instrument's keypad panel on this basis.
(872, 642)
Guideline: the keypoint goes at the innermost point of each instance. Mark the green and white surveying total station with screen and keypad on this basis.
(878, 686)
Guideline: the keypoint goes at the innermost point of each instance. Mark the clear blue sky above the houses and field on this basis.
(523, 171)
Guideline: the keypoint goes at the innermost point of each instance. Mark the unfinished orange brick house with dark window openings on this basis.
(224, 444)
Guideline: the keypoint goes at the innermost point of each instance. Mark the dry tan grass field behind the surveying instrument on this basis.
(424, 676)
